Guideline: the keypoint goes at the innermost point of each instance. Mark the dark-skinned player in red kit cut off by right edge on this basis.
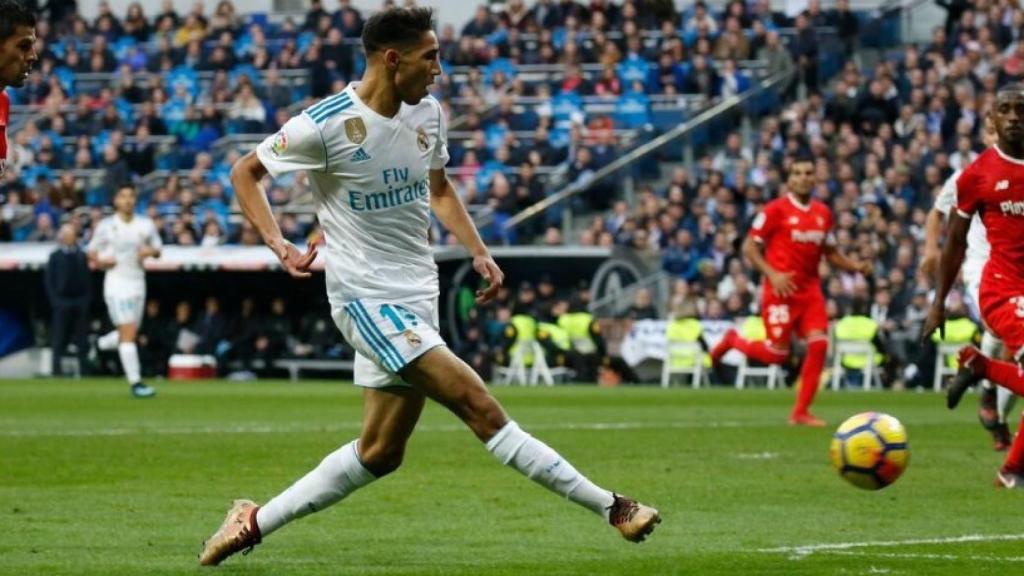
(993, 187)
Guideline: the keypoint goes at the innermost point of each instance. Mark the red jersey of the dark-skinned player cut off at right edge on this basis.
(994, 187)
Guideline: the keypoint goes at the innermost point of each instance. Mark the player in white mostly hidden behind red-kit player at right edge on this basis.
(994, 419)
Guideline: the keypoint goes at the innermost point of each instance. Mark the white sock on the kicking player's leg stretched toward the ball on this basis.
(542, 465)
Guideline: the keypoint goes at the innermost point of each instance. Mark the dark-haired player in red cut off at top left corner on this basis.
(18, 56)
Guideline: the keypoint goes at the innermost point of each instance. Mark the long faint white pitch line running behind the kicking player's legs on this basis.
(340, 427)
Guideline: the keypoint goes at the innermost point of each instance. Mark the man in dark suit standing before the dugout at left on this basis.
(69, 286)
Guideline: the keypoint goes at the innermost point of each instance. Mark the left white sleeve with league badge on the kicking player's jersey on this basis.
(298, 146)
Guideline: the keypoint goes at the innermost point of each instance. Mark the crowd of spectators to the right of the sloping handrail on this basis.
(884, 141)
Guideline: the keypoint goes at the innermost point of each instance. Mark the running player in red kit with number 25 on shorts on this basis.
(786, 244)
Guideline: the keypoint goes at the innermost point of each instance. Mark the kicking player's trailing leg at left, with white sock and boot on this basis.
(390, 417)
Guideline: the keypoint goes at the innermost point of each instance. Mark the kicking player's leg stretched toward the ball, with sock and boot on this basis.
(447, 380)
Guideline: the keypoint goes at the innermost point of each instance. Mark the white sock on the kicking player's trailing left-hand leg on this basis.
(337, 476)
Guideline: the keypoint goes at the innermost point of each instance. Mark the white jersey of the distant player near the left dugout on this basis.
(122, 240)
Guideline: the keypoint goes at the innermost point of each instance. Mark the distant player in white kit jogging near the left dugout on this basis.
(120, 245)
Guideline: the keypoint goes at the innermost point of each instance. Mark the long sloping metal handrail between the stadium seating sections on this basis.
(644, 150)
